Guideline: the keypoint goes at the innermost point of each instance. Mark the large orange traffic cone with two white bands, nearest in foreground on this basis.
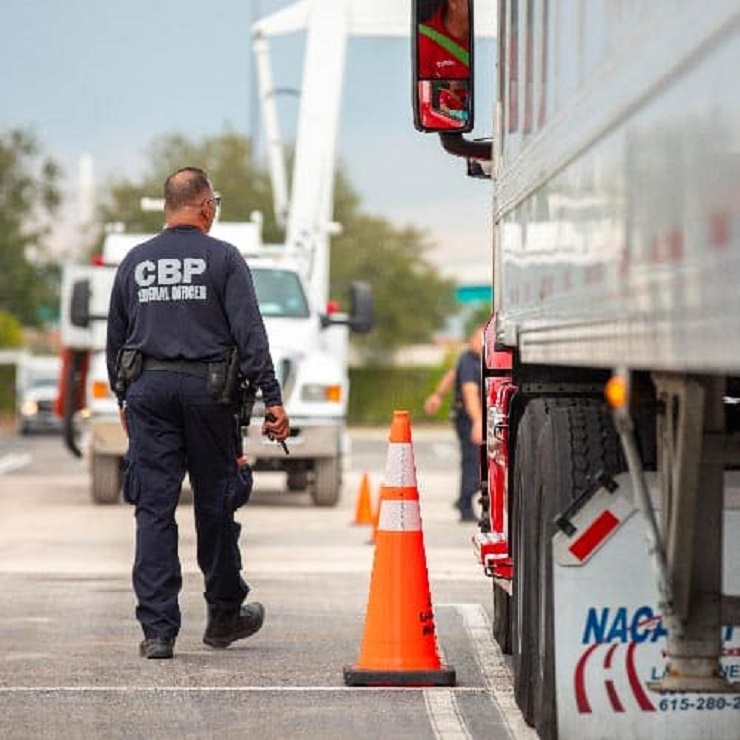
(399, 647)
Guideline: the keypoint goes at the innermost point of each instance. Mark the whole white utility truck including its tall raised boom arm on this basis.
(309, 343)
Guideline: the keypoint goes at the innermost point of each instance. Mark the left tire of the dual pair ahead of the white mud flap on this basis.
(525, 511)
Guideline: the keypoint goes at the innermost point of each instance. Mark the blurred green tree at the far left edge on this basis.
(29, 198)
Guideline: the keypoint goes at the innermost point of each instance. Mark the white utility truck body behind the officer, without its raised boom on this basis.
(305, 349)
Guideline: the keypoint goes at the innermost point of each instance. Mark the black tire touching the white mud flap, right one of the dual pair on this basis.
(577, 443)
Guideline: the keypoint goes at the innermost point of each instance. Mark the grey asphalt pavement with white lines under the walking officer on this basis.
(70, 668)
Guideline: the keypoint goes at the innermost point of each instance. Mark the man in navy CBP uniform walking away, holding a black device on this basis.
(181, 303)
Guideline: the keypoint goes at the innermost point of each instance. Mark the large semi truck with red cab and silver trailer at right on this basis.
(611, 531)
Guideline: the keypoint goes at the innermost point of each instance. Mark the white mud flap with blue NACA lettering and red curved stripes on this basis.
(610, 639)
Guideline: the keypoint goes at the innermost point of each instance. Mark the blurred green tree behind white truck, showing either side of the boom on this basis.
(411, 299)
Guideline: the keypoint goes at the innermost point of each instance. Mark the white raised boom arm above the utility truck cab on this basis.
(308, 213)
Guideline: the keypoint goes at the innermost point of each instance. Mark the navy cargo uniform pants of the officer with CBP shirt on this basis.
(175, 426)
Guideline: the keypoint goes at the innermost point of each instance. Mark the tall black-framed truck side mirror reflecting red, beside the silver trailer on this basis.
(442, 61)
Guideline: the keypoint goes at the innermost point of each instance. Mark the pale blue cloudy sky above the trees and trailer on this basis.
(106, 78)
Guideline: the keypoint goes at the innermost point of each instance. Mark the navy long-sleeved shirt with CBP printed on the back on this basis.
(184, 295)
